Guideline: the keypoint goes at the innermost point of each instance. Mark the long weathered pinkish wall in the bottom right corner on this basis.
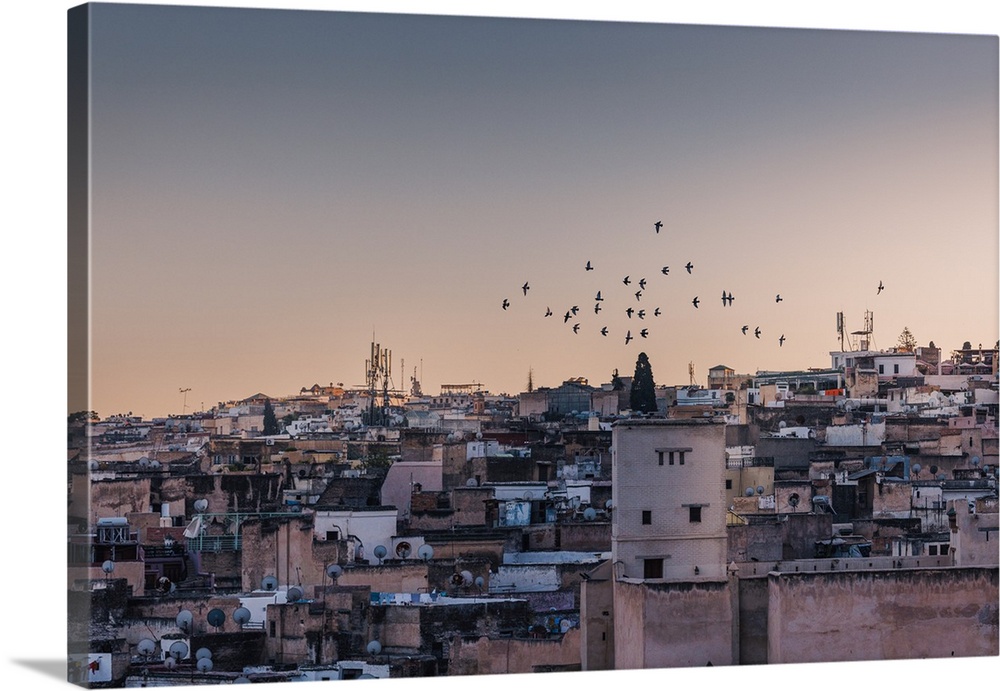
(882, 615)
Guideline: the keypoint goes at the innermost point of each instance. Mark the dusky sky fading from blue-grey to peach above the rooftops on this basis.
(270, 187)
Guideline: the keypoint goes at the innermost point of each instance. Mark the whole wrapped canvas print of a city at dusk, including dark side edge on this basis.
(411, 346)
